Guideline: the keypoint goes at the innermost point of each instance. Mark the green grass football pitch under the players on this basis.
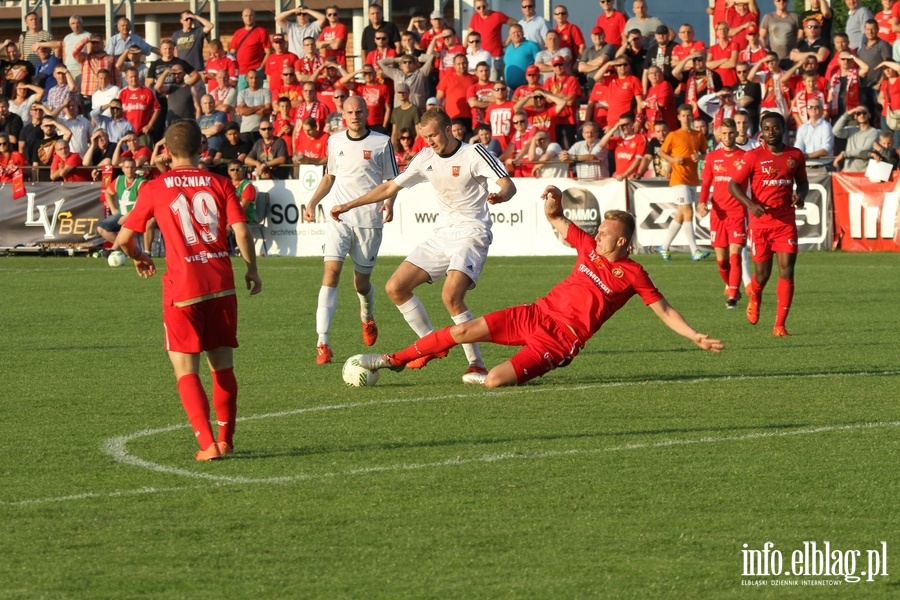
(639, 471)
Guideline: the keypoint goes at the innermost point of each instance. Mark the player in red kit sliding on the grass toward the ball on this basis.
(555, 328)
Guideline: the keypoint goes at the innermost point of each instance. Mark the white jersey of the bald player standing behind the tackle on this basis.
(359, 166)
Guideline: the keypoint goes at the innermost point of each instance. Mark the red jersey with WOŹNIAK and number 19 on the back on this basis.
(193, 209)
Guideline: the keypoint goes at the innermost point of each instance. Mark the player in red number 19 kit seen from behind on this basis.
(194, 209)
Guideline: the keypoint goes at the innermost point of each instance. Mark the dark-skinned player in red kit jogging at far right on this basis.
(772, 169)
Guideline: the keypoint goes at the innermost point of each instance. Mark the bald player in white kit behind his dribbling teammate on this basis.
(359, 160)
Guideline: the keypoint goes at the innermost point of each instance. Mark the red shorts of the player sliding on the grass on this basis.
(547, 344)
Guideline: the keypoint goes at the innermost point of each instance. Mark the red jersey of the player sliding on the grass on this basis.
(596, 288)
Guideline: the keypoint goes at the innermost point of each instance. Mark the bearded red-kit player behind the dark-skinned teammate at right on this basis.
(728, 219)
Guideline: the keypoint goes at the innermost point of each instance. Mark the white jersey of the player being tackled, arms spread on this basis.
(459, 181)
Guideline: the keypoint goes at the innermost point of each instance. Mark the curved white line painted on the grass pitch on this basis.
(116, 447)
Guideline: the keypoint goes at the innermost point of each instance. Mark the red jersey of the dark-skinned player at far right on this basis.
(772, 179)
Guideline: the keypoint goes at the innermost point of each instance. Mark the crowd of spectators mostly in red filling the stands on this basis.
(540, 94)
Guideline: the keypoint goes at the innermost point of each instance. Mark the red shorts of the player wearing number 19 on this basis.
(203, 326)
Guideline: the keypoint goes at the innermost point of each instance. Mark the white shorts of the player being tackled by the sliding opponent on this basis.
(461, 249)
